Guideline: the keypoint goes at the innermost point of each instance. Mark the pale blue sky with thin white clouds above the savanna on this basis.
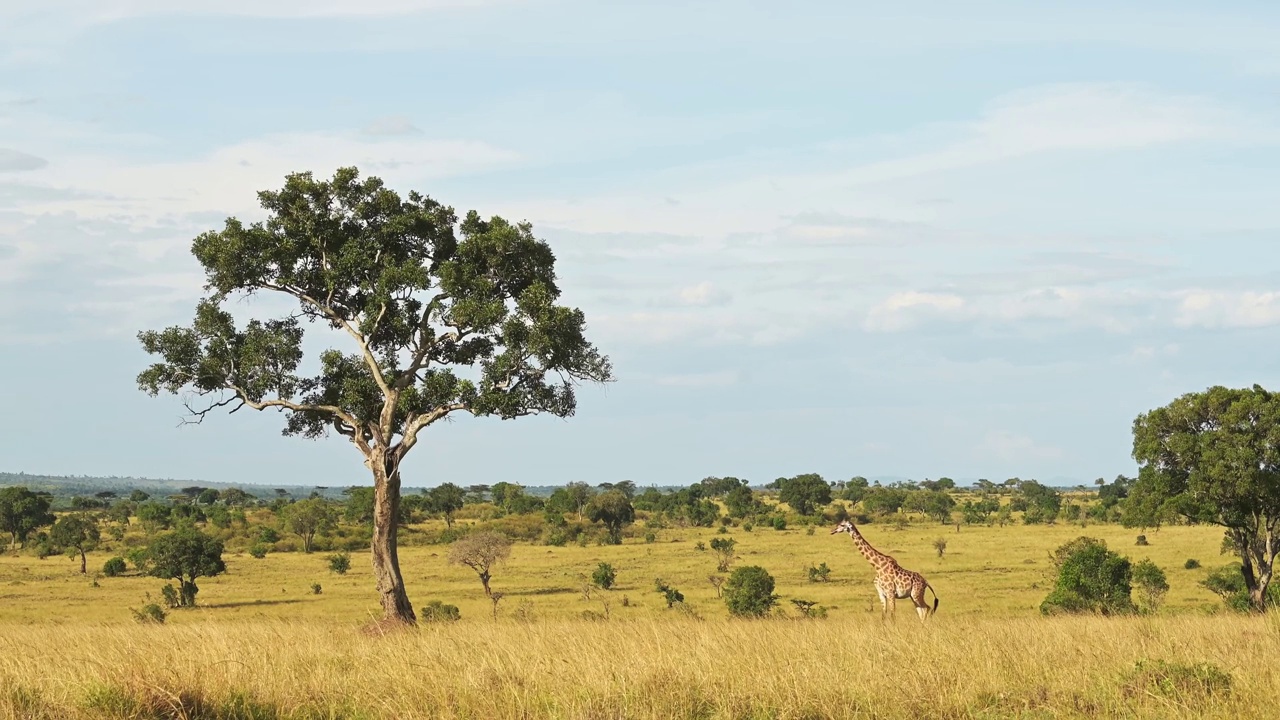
(829, 238)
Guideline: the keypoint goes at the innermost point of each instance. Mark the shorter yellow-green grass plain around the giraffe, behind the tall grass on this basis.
(986, 572)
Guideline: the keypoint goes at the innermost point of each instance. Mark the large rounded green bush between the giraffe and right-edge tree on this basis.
(1090, 580)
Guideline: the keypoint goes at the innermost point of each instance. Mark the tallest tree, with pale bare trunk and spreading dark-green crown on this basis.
(440, 317)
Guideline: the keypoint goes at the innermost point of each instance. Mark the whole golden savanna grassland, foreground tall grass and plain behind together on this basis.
(262, 644)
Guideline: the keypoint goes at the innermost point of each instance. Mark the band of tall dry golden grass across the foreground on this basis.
(1220, 667)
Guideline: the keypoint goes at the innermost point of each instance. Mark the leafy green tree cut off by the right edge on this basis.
(1214, 457)
